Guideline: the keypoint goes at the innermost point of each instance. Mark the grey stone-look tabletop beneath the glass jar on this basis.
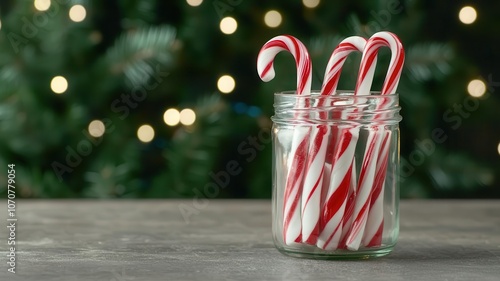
(231, 240)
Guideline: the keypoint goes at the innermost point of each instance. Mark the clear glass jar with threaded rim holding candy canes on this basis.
(335, 174)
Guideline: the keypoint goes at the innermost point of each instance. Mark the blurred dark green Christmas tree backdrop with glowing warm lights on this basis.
(161, 99)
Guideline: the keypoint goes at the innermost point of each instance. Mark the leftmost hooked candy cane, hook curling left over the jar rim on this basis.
(300, 142)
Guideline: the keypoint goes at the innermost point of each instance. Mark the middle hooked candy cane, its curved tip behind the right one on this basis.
(332, 217)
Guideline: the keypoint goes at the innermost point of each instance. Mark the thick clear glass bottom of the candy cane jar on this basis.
(340, 254)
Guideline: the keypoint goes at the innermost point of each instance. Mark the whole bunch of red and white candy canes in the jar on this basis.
(325, 202)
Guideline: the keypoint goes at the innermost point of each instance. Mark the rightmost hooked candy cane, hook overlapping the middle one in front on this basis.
(376, 137)
